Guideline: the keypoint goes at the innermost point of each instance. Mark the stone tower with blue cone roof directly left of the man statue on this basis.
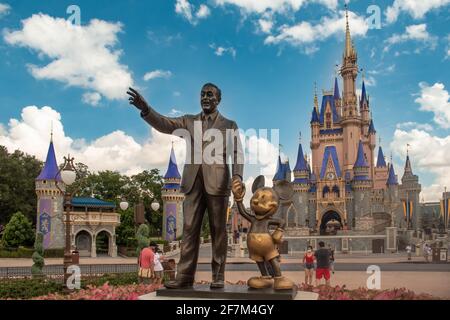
(172, 201)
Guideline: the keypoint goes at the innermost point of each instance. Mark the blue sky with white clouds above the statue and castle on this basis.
(266, 74)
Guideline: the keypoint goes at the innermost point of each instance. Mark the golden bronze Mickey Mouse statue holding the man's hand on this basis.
(260, 242)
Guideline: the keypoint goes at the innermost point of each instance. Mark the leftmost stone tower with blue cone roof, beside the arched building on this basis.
(50, 211)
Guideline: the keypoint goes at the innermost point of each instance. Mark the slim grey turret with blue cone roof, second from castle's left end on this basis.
(301, 187)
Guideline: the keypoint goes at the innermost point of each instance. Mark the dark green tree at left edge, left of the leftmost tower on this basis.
(18, 172)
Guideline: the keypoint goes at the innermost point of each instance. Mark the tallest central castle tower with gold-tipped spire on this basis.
(351, 121)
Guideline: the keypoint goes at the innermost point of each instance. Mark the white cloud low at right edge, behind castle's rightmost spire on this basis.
(428, 153)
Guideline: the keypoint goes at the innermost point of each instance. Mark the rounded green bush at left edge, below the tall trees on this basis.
(18, 232)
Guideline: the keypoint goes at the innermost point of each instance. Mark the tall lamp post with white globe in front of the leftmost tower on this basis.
(68, 176)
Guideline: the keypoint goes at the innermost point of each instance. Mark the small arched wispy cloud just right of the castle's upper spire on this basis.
(416, 33)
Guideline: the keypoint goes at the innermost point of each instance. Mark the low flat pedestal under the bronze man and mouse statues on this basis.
(230, 292)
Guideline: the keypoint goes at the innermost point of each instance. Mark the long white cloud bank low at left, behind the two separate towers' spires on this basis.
(114, 151)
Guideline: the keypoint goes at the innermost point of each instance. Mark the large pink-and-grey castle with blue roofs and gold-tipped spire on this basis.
(342, 187)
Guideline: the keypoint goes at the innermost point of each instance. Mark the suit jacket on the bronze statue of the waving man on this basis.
(216, 176)
